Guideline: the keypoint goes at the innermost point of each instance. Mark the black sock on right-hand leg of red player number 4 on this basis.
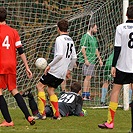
(22, 105)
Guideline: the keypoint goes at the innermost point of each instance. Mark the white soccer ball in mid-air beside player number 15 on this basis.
(41, 63)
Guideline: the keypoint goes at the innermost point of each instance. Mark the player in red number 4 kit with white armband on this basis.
(9, 42)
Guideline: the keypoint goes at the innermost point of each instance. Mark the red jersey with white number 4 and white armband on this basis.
(9, 41)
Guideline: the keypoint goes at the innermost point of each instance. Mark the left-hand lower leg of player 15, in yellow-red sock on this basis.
(41, 99)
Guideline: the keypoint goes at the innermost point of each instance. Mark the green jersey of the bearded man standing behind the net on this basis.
(90, 44)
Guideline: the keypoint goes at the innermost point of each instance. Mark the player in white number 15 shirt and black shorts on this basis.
(56, 71)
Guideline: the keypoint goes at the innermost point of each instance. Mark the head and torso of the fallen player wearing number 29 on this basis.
(70, 103)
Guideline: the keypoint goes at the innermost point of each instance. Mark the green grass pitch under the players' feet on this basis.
(72, 124)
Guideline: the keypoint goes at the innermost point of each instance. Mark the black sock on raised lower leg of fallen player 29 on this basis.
(33, 104)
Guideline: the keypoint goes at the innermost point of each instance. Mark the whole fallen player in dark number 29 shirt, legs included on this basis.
(70, 103)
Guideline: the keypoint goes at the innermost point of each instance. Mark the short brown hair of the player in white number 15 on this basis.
(63, 25)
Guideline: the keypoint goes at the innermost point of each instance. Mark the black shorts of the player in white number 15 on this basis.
(50, 80)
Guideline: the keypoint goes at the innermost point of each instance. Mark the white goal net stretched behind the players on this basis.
(36, 22)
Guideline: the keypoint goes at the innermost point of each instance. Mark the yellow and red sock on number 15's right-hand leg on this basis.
(54, 104)
